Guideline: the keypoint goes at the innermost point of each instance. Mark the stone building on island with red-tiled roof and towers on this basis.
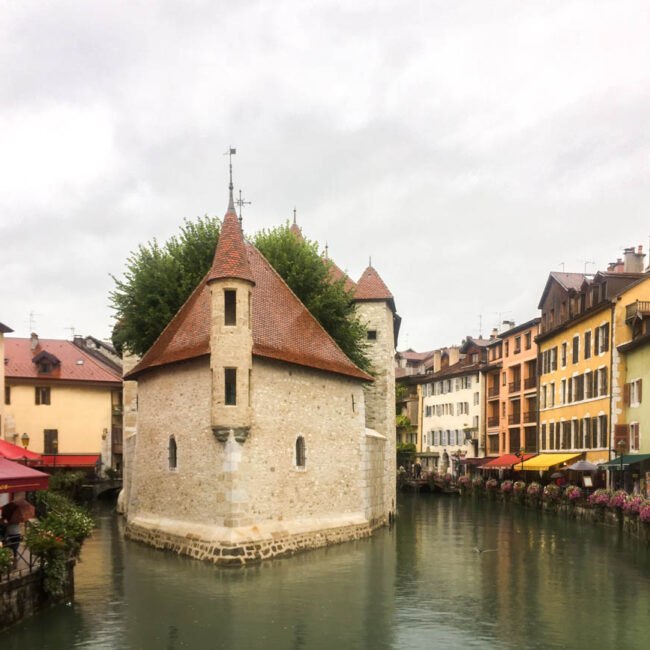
(256, 435)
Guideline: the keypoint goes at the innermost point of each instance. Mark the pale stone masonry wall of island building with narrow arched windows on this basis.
(271, 498)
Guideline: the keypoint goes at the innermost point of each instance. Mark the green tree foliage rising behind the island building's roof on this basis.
(159, 279)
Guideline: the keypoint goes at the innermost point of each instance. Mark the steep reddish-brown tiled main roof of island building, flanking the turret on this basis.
(283, 328)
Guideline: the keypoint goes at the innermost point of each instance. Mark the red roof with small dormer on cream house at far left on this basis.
(19, 365)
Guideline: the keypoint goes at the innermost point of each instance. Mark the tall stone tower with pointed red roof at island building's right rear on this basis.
(376, 309)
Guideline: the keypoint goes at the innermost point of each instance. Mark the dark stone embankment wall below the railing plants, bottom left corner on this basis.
(22, 595)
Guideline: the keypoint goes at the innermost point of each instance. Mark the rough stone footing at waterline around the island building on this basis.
(251, 550)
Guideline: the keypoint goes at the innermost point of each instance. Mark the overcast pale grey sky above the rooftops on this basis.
(469, 147)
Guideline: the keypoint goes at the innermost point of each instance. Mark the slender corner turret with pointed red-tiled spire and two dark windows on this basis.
(231, 335)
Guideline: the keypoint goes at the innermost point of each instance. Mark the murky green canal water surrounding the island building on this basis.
(540, 582)
